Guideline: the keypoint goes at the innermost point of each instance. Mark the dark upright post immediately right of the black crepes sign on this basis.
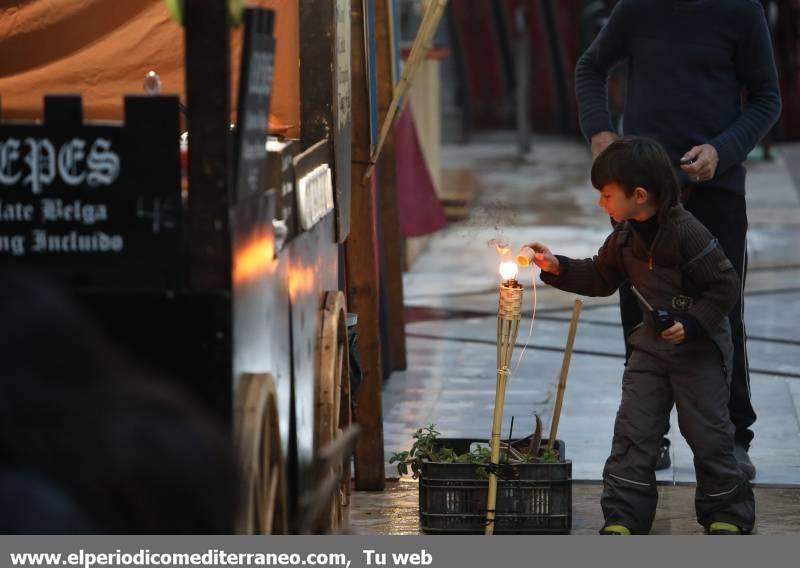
(210, 153)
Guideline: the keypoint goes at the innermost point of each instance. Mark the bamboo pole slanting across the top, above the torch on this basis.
(430, 21)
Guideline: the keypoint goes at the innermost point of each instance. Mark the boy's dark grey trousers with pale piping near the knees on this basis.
(691, 374)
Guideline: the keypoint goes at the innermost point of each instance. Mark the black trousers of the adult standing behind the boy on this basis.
(724, 214)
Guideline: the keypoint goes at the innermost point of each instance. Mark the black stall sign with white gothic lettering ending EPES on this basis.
(94, 205)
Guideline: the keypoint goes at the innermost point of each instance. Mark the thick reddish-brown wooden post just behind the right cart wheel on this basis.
(360, 261)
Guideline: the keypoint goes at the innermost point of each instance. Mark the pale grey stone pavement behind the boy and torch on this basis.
(451, 298)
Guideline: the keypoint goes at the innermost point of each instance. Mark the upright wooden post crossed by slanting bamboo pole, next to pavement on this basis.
(392, 267)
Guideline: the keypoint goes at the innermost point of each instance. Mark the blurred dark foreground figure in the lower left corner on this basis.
(93, 443)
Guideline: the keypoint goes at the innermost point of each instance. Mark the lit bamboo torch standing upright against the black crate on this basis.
(508, 315)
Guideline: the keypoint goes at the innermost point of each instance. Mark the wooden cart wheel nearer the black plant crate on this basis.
(333, 399)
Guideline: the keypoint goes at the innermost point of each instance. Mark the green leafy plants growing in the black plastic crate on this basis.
(424, 449)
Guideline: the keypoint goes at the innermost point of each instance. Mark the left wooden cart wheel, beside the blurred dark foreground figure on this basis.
(259, 442)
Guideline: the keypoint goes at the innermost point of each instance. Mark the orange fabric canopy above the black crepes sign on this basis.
(102, 50)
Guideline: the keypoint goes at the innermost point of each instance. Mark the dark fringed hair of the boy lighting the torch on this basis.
(638, 162)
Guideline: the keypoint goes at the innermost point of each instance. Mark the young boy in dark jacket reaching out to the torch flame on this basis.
(676, 264)
